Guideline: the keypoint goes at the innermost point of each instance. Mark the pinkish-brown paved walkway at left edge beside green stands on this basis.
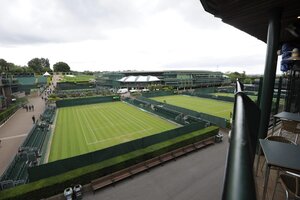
(14, 131)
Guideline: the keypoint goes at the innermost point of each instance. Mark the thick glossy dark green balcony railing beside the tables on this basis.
(239, 180)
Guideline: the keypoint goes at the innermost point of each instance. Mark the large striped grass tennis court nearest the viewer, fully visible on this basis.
(83, 129)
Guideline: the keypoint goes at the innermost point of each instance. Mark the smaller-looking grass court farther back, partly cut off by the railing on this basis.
(204, 105)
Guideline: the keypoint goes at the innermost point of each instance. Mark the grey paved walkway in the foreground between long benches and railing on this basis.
(198, 175)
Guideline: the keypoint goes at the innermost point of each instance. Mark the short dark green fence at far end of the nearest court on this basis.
(84, 101)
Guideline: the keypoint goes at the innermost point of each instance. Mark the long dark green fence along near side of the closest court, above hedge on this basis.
(65, 165)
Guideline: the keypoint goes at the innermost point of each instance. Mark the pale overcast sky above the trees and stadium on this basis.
(106, 35)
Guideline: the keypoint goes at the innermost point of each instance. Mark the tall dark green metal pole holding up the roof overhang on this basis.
(270, 71)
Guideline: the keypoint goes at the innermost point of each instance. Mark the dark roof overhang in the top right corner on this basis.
(253, 17)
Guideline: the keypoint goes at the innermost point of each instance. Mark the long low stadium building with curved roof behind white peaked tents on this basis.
(179, 79)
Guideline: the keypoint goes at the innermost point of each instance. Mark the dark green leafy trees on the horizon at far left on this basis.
(35, 65)
